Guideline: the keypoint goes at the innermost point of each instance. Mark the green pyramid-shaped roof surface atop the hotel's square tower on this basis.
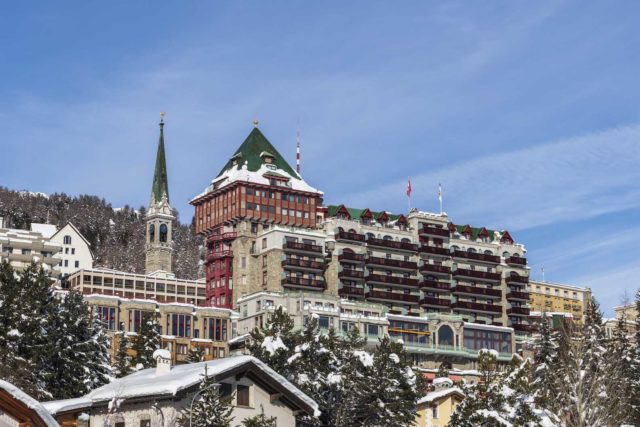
(252, 150)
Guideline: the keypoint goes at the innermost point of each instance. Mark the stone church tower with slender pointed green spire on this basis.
(159, 219)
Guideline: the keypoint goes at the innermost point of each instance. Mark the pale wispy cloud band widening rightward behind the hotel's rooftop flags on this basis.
(571, 179)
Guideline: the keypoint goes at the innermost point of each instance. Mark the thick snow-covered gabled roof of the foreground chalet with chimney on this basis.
(146, 383)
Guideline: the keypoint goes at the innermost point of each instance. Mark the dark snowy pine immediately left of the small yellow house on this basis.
(392, 393)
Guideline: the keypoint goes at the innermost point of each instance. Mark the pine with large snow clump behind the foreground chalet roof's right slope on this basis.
(275, 343)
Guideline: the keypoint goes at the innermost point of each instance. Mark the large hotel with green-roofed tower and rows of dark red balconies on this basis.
(266, 229)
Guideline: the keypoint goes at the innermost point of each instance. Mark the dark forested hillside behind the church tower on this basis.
(117, 236)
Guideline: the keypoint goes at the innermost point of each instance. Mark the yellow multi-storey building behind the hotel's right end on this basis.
(558, 298)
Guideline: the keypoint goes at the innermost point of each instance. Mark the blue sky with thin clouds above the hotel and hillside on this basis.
(527, 112)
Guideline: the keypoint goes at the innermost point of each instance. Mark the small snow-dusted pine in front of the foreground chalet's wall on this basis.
(210, 409)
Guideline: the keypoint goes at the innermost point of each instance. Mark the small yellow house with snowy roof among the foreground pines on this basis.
(436, 407)
